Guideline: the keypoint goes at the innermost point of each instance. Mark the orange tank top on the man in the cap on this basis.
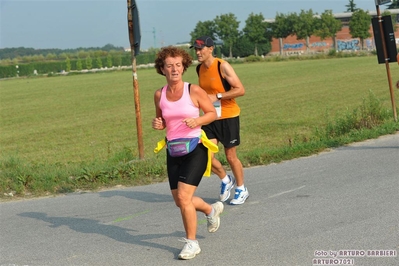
(210, 80)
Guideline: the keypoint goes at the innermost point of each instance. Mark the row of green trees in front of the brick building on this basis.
(258, 33)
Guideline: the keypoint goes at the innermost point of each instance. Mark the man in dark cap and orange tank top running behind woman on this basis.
(222, 85)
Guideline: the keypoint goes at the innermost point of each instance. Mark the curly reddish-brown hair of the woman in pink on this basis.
(171, 51)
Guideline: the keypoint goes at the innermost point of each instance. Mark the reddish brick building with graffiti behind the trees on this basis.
(345, 42)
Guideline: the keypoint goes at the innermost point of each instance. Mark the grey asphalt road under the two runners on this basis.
(336, 208)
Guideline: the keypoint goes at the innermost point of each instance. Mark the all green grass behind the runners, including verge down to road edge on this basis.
(64, 133)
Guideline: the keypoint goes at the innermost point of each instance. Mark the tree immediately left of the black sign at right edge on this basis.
(359, 25)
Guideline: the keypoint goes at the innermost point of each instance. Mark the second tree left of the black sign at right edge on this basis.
(328, 26)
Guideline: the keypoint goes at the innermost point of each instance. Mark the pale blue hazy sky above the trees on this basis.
(70, 24)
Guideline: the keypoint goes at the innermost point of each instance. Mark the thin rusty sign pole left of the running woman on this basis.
(135, 81)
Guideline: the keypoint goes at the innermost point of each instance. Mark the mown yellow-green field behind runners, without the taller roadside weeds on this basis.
(91, 117)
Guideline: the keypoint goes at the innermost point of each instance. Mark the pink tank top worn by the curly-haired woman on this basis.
(175, 112)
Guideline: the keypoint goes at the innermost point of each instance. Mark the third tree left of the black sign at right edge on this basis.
(305, 26)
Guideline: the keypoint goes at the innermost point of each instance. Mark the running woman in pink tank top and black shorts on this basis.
(177, 107)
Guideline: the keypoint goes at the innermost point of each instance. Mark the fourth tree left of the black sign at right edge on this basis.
(283, 27)
